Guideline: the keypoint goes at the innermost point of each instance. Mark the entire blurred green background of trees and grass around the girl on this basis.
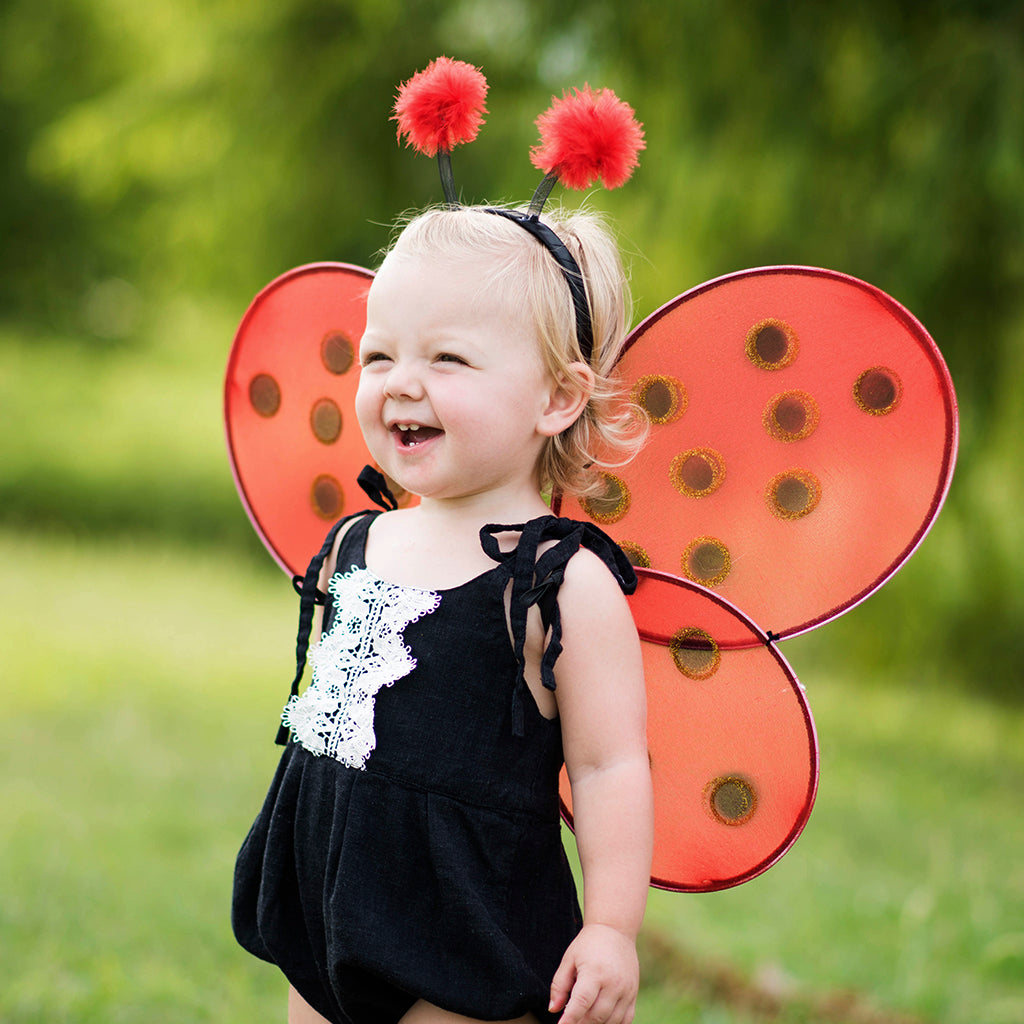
(162, 162)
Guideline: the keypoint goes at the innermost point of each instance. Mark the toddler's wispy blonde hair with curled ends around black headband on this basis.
(610, 431)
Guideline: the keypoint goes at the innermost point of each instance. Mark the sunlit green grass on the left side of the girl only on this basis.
(140, 688)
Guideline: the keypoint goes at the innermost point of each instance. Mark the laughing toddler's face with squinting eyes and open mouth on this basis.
(453, 391)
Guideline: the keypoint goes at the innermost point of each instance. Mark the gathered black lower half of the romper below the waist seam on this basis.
(371, 894)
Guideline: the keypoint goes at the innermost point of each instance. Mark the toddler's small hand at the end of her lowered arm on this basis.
(599, 978)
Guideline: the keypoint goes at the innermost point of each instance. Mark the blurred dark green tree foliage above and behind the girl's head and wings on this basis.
(177, 147)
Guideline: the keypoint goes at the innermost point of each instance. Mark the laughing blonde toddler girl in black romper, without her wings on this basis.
(408, 863)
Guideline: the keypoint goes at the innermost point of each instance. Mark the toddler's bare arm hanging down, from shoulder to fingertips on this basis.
(604, 712)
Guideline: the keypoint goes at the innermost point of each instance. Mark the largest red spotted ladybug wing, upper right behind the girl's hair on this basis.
(803, 439)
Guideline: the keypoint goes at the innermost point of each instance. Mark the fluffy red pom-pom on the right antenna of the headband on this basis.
(589, 136)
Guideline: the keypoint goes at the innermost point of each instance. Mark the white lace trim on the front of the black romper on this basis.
(363, 653)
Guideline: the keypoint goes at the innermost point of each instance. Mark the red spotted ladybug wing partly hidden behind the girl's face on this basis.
(289, 407)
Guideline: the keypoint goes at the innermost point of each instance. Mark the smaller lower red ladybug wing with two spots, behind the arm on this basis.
(733, 747)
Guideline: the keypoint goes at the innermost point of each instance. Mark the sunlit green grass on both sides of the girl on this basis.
(141, 687)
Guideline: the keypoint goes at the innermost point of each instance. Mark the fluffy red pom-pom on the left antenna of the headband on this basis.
(442, 106)
